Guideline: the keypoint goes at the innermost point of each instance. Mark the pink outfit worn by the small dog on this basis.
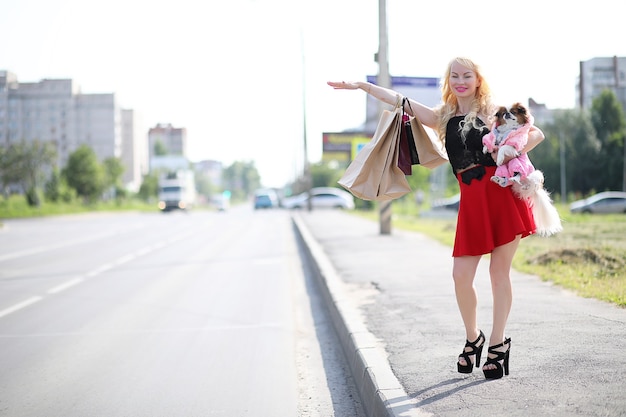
(517, 138)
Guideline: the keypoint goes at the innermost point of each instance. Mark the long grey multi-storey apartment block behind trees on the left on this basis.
(56, 111)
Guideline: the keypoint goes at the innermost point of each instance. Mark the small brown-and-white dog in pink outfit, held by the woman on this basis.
(509, 134)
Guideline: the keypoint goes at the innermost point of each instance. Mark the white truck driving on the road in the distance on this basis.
(177, 190)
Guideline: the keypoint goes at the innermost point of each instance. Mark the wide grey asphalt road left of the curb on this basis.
(177, 314)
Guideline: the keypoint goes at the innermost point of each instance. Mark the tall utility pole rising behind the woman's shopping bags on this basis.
(383, 80)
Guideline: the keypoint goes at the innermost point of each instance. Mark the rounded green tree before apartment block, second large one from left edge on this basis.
(85, 174)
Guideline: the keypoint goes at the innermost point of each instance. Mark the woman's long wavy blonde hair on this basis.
(481, 104)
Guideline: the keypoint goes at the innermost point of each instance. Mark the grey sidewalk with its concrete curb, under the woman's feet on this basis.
(393, 305)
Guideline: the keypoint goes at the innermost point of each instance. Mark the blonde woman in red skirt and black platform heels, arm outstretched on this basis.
(461, 121)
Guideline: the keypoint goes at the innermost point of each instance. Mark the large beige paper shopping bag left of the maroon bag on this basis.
(374, 173)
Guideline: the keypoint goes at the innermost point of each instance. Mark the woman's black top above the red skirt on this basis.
(462, 153)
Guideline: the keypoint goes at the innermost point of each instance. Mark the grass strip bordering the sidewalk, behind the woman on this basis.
(588, 257)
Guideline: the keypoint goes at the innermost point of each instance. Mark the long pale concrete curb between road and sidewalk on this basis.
(380, 392)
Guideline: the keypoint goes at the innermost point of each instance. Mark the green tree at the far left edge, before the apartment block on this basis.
(26, 164)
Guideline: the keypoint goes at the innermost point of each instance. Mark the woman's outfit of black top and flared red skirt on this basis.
(489, 215)
